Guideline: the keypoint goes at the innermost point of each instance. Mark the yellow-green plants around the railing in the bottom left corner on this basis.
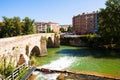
(7, 67)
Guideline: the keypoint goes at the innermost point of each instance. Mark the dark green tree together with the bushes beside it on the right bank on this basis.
(109, 27)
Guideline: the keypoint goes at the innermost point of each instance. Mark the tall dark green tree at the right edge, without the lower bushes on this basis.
(109, 22)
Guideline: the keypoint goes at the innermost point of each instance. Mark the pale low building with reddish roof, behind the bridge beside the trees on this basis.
(43, 26)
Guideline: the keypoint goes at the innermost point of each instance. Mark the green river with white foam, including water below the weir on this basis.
(80, 59)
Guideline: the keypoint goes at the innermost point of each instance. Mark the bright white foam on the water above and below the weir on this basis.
(59, 64)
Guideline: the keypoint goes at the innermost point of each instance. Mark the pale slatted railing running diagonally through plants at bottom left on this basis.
(15, 73)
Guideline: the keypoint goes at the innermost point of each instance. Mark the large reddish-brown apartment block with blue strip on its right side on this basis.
(85, 23)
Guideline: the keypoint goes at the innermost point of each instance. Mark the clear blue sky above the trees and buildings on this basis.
(60, 11)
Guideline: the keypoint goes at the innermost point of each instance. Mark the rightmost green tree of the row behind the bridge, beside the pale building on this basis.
(28, 27)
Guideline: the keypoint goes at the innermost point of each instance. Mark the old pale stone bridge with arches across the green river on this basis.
(19, 49)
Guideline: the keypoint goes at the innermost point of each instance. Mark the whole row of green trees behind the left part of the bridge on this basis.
(15, 27)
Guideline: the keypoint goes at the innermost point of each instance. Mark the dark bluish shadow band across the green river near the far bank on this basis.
(84, 52)
